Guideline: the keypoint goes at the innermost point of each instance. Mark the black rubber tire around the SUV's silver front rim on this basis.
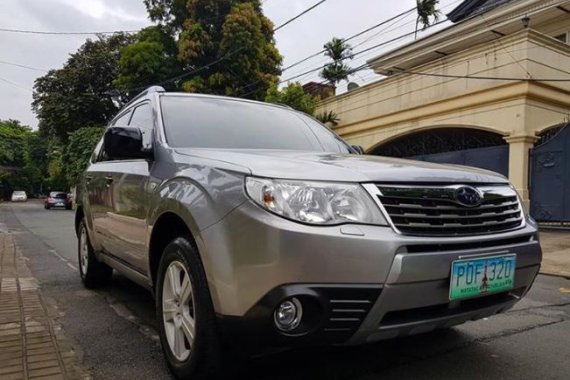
(206, 354)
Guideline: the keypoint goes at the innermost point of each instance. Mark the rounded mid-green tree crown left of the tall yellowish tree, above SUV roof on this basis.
(149, 60)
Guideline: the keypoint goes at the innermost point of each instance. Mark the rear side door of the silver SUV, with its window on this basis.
(98, 183)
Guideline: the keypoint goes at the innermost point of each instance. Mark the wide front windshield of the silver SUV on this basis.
(230, 124)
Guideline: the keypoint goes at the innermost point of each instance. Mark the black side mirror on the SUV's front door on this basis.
(124, 143)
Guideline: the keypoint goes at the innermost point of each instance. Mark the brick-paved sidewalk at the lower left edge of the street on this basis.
(32, 344)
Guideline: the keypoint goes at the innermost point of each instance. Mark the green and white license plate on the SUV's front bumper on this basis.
(479, 276)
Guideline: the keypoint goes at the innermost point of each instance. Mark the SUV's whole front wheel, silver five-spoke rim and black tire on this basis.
(185, 313)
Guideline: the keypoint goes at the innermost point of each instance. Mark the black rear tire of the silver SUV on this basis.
(95, 274)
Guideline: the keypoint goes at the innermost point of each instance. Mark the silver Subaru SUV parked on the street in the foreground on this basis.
(253, 220)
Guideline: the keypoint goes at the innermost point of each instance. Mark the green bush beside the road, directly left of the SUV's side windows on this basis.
(79, 149)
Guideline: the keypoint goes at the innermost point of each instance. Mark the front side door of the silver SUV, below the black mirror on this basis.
(125, 224)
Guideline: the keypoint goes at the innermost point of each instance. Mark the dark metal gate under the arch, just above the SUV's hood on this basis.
(495, 158)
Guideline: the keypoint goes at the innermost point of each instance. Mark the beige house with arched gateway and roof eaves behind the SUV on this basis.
(500, 75)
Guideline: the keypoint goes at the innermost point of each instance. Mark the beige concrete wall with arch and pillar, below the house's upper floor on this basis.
(517, 109)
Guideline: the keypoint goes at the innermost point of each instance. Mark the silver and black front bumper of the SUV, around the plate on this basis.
(254, 260)
